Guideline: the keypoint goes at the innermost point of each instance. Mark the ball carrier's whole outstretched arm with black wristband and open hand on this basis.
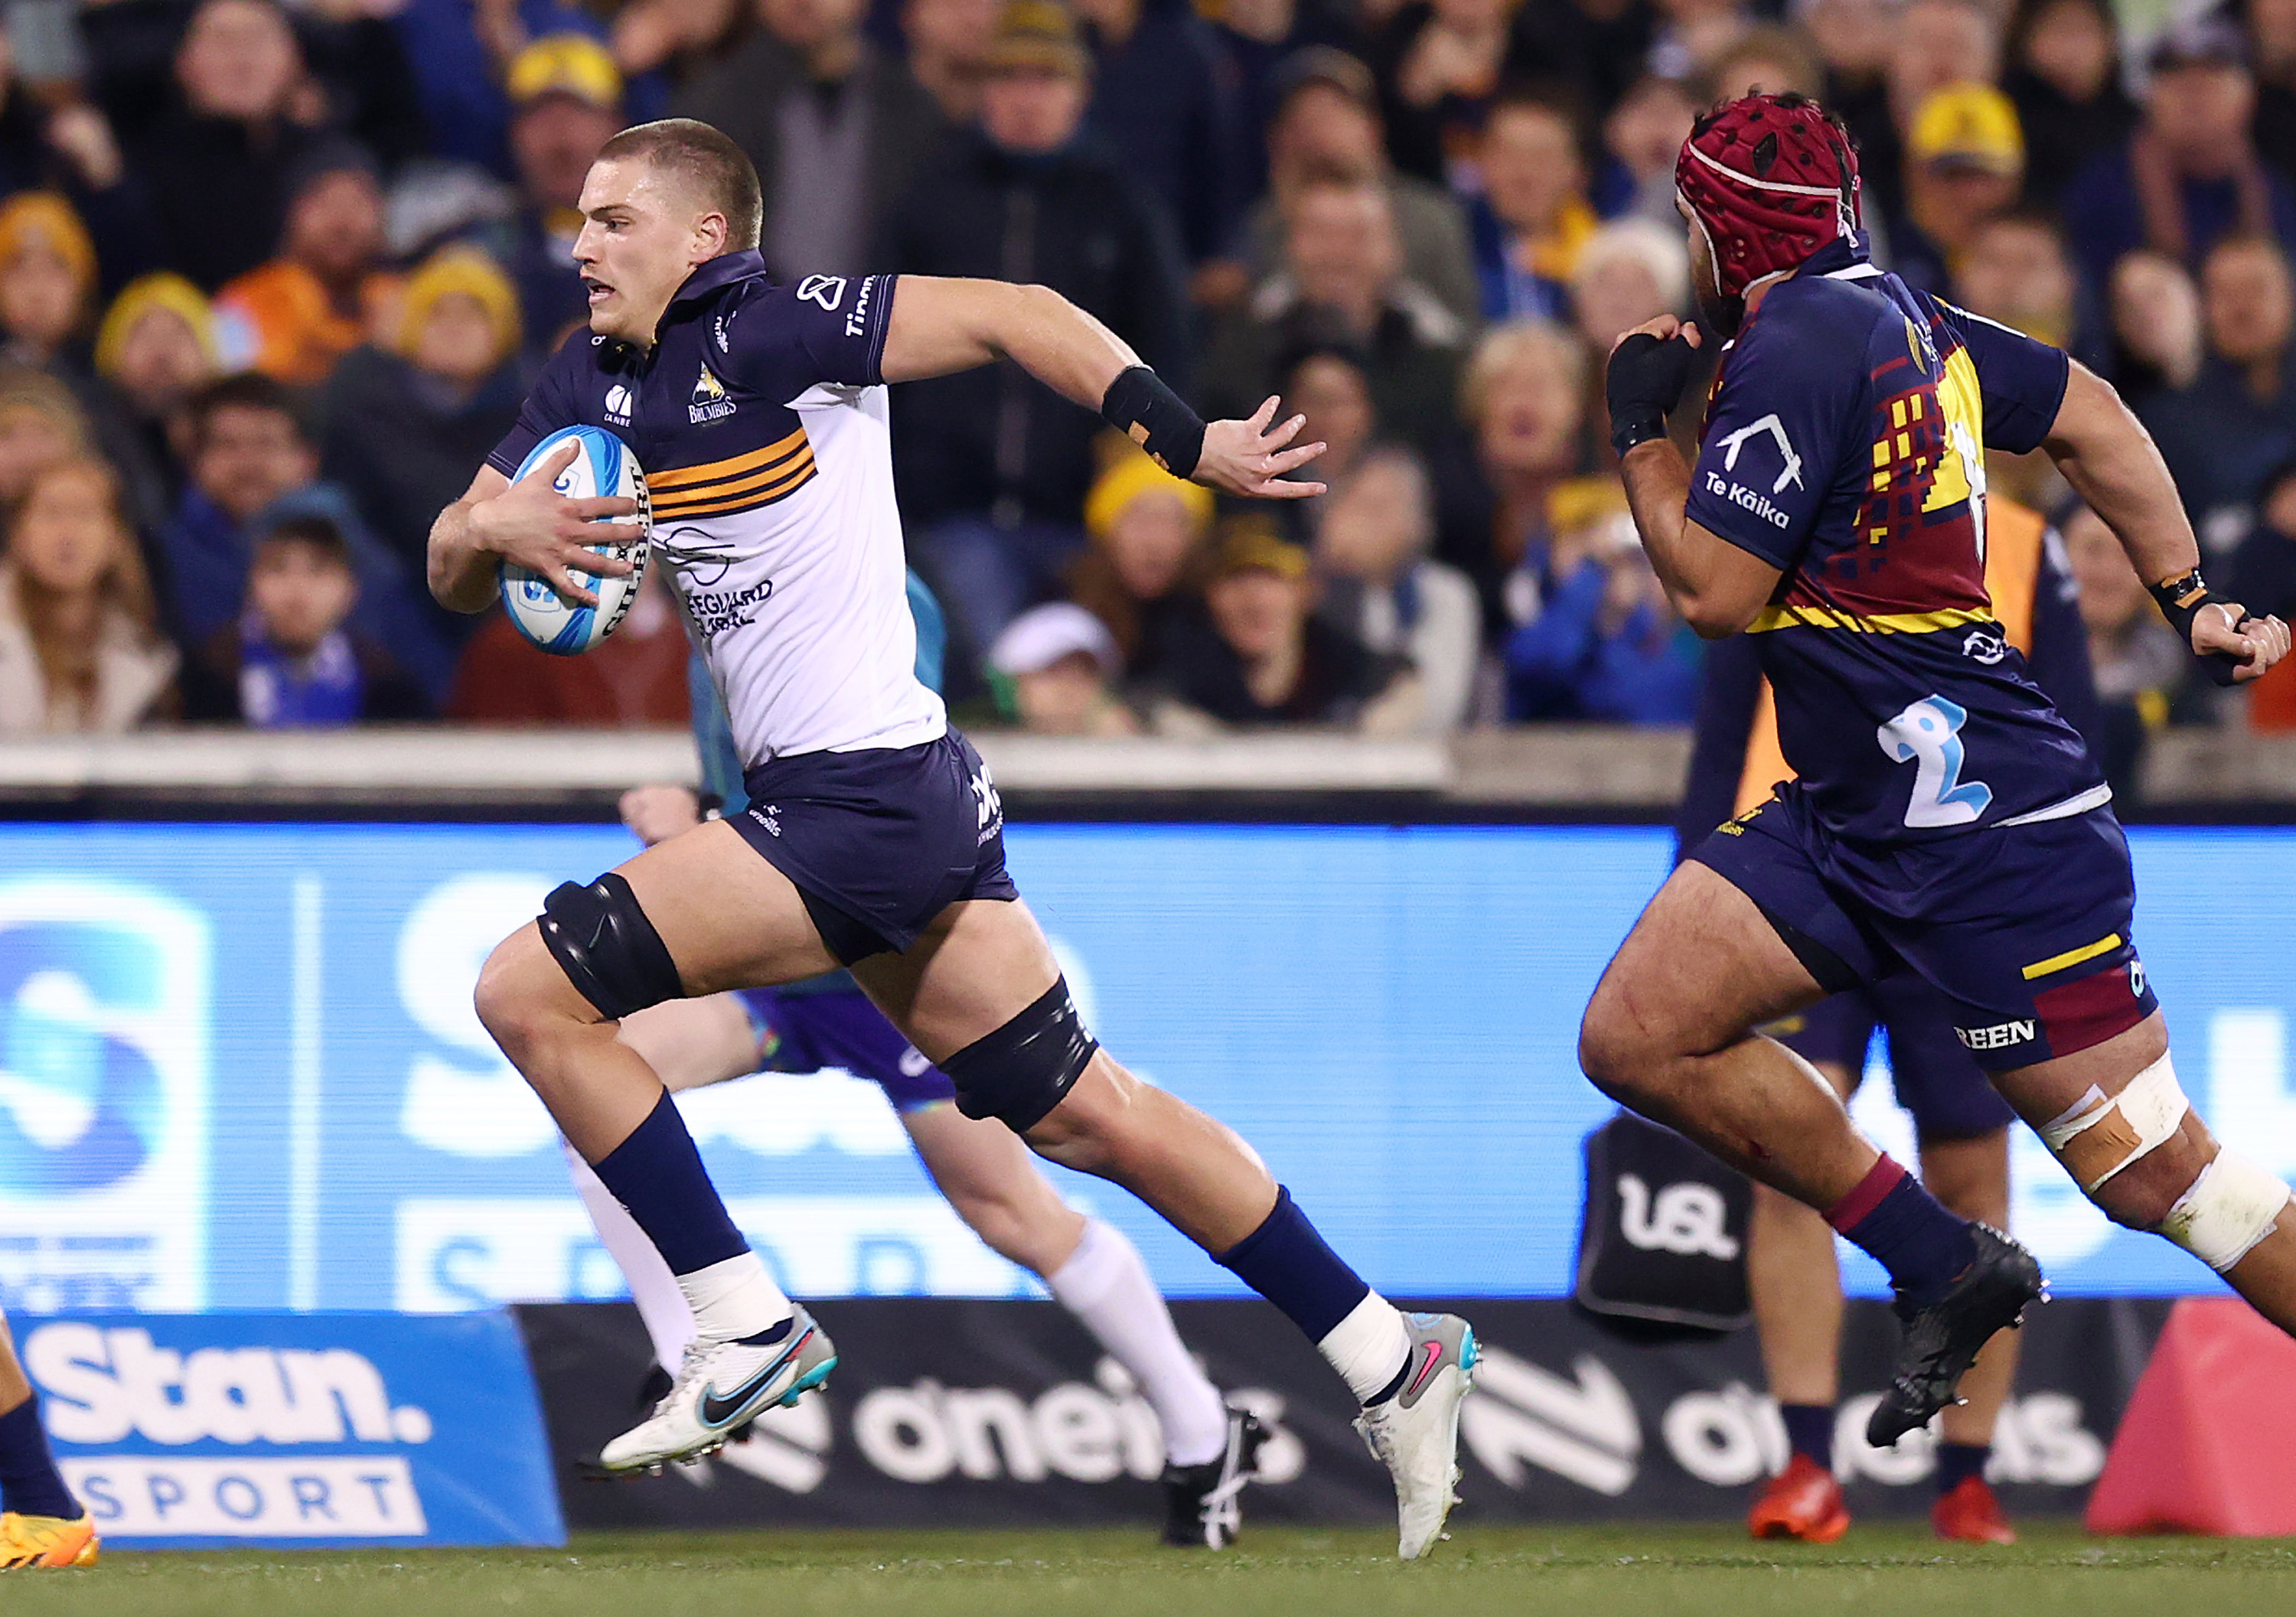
(940, 327)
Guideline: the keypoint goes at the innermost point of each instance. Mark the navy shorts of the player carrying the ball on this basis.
(881, 842)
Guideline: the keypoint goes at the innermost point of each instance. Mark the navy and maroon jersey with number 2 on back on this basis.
(1845, 444)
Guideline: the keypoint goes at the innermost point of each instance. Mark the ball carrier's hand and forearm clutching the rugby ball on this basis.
(532, 525)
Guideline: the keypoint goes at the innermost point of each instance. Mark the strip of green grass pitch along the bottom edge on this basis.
(1572, 1572)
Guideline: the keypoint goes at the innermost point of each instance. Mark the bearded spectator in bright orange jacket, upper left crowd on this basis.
(327, 291)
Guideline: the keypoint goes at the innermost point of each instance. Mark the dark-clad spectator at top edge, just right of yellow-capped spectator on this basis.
(2065, 77)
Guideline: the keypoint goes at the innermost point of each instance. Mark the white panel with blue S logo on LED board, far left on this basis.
(104, 1071)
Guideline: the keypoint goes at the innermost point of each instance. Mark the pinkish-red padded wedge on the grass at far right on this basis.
(2210, 1437)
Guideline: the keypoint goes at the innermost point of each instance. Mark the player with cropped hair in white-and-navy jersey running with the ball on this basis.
(874, 840)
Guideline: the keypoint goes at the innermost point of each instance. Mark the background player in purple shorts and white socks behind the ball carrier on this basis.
(988, 1177)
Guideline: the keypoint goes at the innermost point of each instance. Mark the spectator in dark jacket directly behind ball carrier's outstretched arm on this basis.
(993, 467)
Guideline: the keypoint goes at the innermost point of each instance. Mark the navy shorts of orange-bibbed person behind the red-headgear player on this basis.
(1934, 1078)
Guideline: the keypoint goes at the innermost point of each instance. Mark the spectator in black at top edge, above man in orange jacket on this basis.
(219, 155)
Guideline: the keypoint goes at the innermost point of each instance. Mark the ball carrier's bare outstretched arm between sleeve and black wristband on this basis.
(945, 325)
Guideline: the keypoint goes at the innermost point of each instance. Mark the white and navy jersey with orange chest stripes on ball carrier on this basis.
(761, 424)
